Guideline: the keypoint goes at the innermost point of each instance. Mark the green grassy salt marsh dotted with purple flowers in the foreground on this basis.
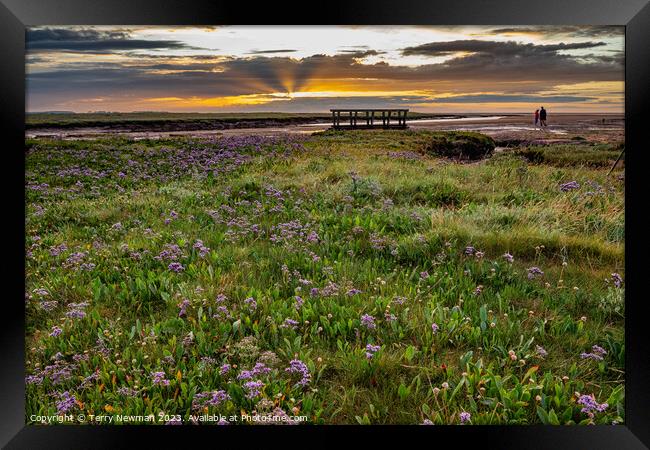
(341, 212)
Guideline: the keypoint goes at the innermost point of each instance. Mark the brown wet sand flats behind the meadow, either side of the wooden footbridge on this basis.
(515, 128)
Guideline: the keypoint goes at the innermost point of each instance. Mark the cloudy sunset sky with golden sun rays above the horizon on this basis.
(432, 69)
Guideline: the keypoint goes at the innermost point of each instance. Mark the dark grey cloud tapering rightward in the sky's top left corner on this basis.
(93, 40)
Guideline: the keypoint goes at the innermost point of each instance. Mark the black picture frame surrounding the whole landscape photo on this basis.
(15, 15)
